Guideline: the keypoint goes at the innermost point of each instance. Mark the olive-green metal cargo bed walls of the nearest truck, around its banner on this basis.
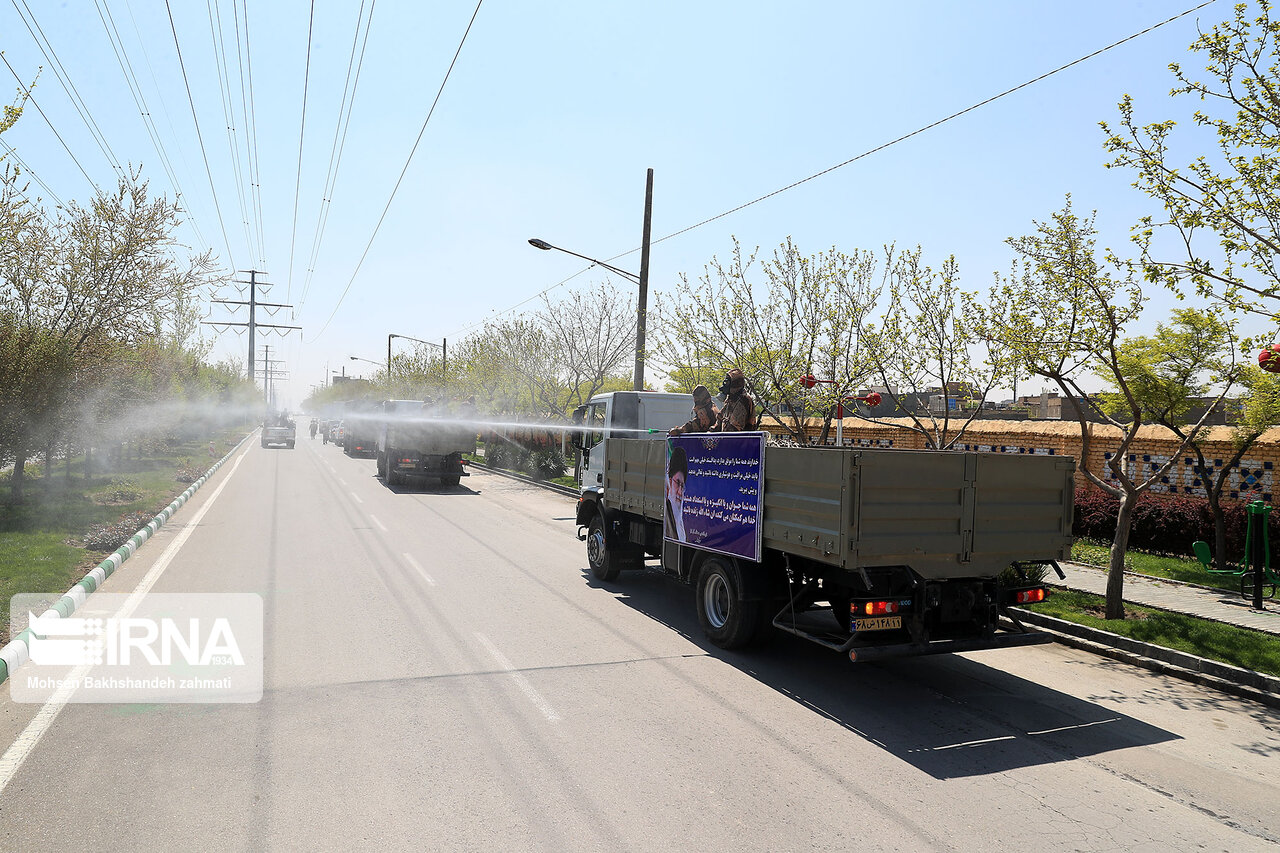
(944, 514)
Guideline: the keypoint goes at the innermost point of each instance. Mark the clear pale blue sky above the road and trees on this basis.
(551, 117)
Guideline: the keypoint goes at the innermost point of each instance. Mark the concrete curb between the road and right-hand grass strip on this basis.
(1246, 685)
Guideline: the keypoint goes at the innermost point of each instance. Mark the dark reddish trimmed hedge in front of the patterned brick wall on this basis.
(1165, 524)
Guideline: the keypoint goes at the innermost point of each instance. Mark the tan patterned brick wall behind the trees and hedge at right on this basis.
(1255, 478)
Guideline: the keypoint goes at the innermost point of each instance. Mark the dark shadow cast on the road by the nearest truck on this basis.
(947, 715)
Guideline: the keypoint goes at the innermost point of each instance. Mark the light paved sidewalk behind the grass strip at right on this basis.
(1217, 605)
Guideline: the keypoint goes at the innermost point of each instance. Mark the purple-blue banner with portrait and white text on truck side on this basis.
(714, 492)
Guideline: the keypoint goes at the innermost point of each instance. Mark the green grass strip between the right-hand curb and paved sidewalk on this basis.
(1240, 647)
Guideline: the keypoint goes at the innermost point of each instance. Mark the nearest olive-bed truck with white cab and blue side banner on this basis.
(872, 553)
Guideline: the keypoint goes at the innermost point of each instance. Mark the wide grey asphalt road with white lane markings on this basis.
(442, 673)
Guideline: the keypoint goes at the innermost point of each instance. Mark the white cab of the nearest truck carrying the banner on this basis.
(628, 414)
